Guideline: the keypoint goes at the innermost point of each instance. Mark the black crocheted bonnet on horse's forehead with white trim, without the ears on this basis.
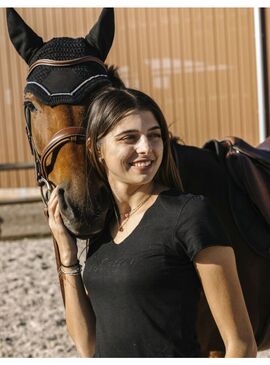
(65, 85)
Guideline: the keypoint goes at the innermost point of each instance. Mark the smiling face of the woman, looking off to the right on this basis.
(132, 152)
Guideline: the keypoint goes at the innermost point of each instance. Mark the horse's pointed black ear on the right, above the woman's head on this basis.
(102, 33)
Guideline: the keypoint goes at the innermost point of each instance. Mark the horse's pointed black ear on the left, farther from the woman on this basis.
(24, 39)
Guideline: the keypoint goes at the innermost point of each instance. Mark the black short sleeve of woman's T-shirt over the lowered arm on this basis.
(199, 227)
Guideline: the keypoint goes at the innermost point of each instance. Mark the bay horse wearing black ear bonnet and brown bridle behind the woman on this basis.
(64, 74)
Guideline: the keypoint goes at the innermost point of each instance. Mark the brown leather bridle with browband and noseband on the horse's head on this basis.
(66, 135)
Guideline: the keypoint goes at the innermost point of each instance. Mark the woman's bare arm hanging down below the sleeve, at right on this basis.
(217, 270)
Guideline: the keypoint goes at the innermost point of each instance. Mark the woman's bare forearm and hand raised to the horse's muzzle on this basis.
(80, 317)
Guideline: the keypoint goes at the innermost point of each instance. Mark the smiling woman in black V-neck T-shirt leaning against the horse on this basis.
(144, 269)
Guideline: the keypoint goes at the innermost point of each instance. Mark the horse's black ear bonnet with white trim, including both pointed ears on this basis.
(55, 85)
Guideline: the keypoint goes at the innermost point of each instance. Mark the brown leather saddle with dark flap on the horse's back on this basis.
(248, 172)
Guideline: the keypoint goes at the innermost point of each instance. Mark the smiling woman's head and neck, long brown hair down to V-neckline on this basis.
(129, 148)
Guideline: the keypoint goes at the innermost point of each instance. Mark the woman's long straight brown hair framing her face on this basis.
(111, 106)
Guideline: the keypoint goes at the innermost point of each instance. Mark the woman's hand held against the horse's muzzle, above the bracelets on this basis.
(66, 243)
